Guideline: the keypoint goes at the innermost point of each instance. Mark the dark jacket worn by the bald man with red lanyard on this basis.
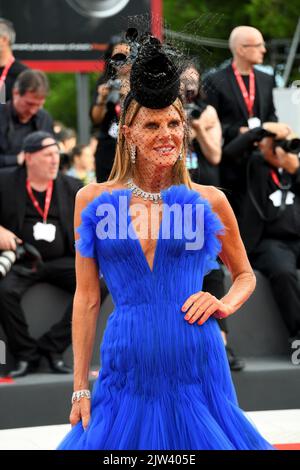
(223, 92)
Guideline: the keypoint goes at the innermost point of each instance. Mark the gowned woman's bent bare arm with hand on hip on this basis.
(233, 254)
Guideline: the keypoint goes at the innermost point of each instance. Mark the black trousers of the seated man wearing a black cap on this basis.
(59, 272)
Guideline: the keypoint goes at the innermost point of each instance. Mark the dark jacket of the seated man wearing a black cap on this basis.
(13, 202)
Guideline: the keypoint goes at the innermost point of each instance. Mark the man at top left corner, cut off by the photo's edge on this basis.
(10, 67)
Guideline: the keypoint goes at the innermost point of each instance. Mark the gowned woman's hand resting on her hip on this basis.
(202, 305)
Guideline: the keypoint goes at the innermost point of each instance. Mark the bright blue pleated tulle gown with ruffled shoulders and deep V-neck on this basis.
(164, 383)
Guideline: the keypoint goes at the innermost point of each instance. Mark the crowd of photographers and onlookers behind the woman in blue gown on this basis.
(235, 143)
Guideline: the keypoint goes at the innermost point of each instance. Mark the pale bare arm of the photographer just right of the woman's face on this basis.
(208, 133)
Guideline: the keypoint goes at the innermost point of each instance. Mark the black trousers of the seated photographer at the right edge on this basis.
(278, 261)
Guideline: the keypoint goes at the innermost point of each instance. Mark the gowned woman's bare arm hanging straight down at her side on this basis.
(85, 313)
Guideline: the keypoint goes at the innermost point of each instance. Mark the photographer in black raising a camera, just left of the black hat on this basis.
(106, 108)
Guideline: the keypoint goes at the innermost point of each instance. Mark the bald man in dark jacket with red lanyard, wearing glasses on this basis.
(241, 94)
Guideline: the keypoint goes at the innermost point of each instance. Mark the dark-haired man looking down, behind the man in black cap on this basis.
(22, 116)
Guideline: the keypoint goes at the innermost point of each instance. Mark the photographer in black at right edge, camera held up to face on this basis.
(269, 220)
